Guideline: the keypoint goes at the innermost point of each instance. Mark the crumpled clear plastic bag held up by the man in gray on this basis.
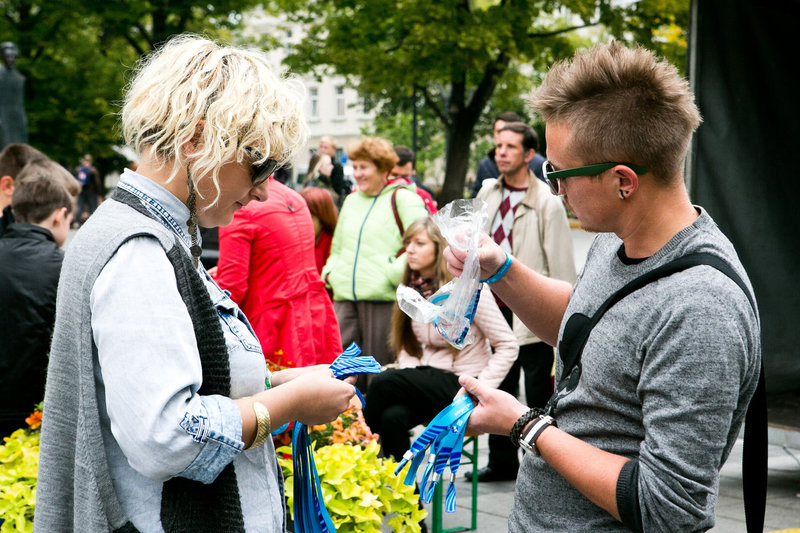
(452, 308)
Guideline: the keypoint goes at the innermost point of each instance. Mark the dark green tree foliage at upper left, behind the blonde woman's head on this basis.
(75, 56)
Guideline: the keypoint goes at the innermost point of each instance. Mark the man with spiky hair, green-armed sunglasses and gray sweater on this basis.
(654, 397)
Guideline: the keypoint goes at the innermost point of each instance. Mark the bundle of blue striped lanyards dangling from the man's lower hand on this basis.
(444, 437)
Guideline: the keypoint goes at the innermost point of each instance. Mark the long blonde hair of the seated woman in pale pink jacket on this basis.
(401, 336)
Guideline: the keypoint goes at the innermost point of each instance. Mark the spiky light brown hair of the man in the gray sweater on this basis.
(623, 105)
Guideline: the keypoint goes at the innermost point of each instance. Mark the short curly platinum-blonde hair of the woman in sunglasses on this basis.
(226, 100)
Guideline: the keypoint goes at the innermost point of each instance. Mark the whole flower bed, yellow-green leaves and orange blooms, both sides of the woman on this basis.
(360, 489)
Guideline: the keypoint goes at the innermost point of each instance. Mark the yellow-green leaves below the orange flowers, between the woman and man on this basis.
(360, 489)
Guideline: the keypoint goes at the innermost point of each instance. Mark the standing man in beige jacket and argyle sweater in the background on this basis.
(531, 224)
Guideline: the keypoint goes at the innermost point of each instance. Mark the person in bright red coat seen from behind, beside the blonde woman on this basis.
(266, 261)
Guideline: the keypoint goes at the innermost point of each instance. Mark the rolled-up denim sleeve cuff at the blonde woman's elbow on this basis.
(219, 430)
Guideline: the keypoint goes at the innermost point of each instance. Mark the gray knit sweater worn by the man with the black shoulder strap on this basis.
(667, 375)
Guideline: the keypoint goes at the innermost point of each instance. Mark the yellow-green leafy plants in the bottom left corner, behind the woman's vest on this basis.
(19, 466)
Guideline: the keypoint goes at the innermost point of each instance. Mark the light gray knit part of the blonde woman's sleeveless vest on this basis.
(75, 491)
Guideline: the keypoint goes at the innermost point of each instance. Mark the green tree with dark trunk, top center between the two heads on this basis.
(457, 55)
